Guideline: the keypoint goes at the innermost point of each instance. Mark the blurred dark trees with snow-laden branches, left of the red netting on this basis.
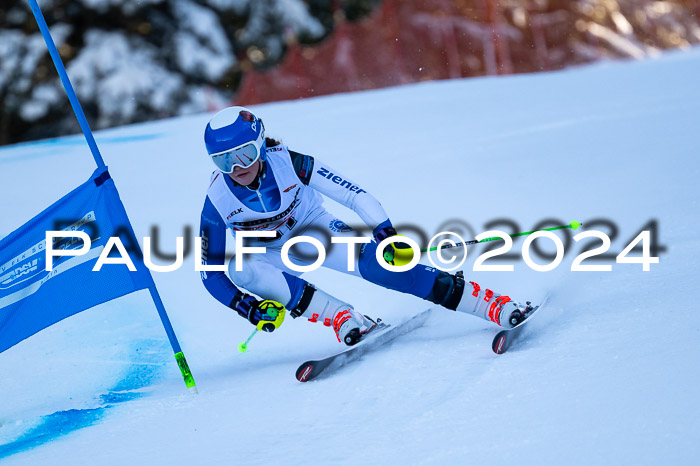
(139, 60)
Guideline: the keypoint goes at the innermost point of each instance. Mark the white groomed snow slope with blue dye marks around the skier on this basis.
(607, 375)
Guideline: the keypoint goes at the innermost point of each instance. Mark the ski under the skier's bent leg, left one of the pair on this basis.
(380, 335)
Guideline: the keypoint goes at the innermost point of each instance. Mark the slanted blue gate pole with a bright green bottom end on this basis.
(77, 109)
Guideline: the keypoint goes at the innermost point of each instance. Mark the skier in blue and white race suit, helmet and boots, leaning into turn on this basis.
(260, 184)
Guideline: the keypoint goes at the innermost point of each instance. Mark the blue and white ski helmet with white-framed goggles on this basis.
(235, 136)
